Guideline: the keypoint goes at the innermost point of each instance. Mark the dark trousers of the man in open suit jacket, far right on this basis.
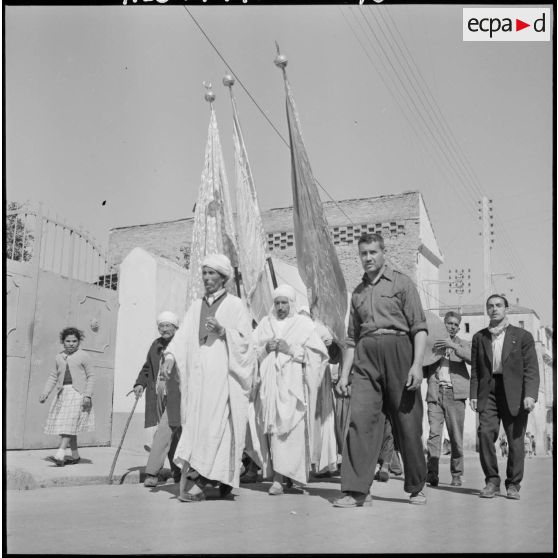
(496, 410)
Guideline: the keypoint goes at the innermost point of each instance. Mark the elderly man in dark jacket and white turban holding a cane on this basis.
(162, 402)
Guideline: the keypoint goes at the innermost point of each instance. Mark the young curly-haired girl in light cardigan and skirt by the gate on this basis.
(71, 411)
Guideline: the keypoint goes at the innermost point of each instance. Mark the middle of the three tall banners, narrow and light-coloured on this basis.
(251, 237)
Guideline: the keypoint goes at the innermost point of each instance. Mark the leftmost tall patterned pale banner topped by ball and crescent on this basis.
(213, 231)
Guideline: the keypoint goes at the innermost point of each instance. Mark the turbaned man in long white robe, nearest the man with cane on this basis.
(215, 358)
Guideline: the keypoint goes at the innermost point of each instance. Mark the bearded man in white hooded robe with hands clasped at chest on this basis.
(291, 355)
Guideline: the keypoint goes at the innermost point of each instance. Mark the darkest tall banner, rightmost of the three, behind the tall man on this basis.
(316, 256)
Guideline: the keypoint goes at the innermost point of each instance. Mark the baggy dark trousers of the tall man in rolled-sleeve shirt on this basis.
(380, 369)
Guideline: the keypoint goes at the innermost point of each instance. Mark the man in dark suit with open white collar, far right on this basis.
(504, 388)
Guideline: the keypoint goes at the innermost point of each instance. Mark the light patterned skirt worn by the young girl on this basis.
(65, 415)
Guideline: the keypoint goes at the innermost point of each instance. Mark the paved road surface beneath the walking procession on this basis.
(125, 519)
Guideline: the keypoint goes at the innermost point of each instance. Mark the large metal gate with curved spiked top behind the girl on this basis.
(56, 276)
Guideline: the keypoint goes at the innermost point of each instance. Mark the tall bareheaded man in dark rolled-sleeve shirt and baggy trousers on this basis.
(385, 349)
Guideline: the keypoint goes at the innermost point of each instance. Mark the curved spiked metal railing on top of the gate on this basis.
(59, 247)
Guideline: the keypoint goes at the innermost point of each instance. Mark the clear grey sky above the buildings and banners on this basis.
(106, 103)
